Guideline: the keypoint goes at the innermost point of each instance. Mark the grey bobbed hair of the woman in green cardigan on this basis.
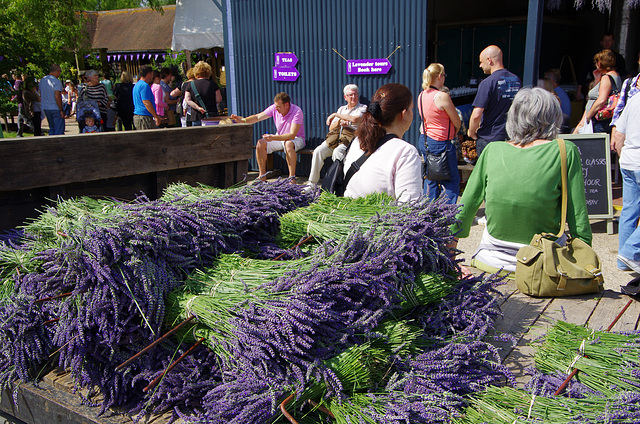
(534, 114)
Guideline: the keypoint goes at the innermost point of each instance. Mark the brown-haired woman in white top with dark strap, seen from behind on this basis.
(394, 167)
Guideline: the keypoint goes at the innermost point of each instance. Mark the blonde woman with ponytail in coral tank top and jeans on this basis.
(440, 124)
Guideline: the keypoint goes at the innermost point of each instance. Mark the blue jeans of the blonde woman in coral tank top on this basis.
(450, 188)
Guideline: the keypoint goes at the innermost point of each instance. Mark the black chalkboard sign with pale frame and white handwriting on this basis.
(596, 170)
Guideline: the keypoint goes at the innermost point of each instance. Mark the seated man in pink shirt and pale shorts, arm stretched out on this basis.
(288, 137)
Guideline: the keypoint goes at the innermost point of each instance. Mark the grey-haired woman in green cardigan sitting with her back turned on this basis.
(520, 182)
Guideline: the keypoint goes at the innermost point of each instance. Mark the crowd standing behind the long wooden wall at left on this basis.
(109, 107)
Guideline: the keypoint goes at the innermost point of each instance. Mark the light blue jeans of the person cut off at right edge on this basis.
(628, 230)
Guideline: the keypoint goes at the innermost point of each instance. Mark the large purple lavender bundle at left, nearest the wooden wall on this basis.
(118, 270)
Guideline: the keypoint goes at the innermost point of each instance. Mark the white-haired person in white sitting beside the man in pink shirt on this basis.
(342, 128)
